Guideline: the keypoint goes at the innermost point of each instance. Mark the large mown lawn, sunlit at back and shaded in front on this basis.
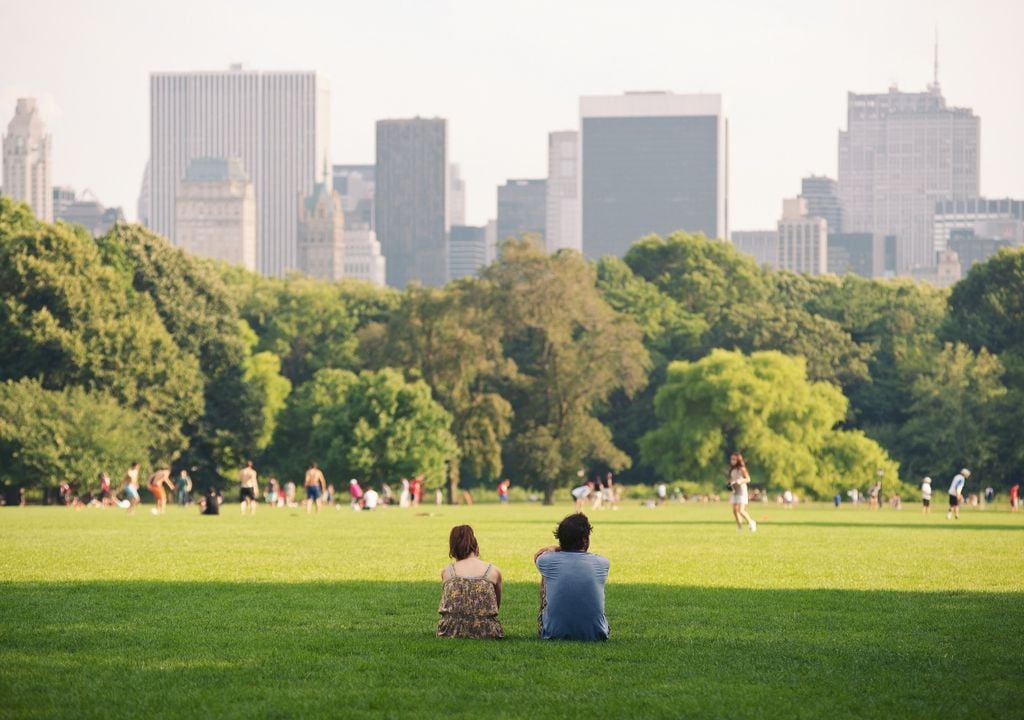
(822, 614)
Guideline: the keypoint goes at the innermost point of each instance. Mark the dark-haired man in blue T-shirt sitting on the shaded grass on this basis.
(573, 585)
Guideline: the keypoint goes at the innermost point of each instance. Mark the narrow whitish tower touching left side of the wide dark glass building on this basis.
(563, 224)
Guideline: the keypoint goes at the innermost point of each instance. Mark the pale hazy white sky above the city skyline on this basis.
(506, 73)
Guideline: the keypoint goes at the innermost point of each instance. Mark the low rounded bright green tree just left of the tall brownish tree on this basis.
(373, 427)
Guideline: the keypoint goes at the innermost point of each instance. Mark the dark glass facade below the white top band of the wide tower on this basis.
(648, 175)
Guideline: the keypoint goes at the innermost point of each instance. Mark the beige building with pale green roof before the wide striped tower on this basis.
(216, 213)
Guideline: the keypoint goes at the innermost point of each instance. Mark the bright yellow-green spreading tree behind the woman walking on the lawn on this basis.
(764, 407)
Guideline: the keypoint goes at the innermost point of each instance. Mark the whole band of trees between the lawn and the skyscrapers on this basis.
(655, 366)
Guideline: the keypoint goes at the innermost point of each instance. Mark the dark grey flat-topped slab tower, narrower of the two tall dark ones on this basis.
(412, 200)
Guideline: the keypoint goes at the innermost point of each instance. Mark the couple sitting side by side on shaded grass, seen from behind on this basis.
(573, 579)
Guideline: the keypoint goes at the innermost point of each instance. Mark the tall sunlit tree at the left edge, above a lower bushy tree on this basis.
(68, 320)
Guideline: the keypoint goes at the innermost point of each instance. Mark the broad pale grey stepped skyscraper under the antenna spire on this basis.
(901, 154)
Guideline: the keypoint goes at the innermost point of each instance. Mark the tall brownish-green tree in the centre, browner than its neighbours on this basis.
(571, 352)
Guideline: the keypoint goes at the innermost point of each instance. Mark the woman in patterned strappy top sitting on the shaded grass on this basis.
(472, 590)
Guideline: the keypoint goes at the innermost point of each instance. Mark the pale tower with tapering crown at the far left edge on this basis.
(27, 164)
